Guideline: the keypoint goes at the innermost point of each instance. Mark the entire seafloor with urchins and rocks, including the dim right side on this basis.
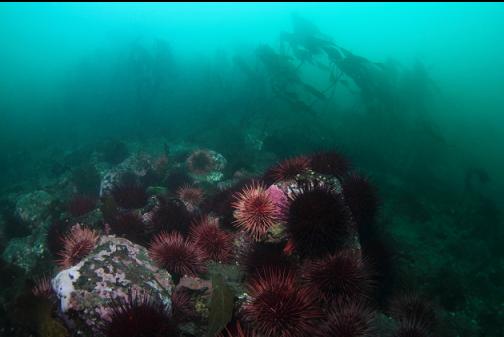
(170, 238)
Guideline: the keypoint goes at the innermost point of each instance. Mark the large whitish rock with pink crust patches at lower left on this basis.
(113, 269)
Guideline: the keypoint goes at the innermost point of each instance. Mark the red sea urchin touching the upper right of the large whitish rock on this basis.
(180, 257)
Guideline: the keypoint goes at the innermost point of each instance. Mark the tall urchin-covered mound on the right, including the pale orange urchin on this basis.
(315, 279)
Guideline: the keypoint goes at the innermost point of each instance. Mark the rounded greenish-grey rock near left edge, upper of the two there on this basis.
(33, 208)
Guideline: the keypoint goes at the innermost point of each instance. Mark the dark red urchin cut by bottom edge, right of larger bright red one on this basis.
(350, 319)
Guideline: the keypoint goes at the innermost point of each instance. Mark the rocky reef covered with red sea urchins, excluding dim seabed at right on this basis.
(173, 244)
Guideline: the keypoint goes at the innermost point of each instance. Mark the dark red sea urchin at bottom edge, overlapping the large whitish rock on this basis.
(139, 315)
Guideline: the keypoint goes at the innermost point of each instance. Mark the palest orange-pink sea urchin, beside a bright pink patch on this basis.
(255, 211)
